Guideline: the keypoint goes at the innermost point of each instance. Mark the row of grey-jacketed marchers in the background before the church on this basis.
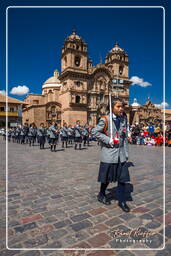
(26, 134)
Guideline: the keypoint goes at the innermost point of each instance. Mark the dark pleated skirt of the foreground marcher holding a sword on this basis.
(111, 172)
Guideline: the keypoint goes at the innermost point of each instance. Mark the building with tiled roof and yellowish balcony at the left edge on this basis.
(13, 111)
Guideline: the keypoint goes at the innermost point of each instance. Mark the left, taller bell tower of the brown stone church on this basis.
(74, 77)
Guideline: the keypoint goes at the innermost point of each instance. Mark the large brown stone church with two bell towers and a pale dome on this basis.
(81, 91)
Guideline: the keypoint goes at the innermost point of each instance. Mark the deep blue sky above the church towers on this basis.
(37, 35)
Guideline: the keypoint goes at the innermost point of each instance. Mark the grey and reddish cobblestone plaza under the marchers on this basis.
(53, 202)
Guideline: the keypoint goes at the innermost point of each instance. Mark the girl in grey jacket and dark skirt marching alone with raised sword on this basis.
(114, 153)
